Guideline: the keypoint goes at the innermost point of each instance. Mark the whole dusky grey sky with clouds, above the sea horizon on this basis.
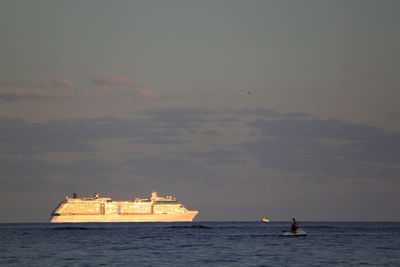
(239, 109)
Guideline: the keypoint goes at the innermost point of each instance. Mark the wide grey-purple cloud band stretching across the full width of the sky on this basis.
(310, 147)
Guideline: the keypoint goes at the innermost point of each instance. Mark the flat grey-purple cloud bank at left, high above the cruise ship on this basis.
(73, 135)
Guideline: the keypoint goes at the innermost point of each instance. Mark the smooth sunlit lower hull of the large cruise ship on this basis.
(185, 217)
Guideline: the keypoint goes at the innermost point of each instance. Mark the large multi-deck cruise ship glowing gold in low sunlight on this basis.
(100, 209)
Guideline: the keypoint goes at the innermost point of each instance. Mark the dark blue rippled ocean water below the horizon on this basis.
(200, 244)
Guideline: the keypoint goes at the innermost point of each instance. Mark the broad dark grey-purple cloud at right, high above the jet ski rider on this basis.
(325, 148)
